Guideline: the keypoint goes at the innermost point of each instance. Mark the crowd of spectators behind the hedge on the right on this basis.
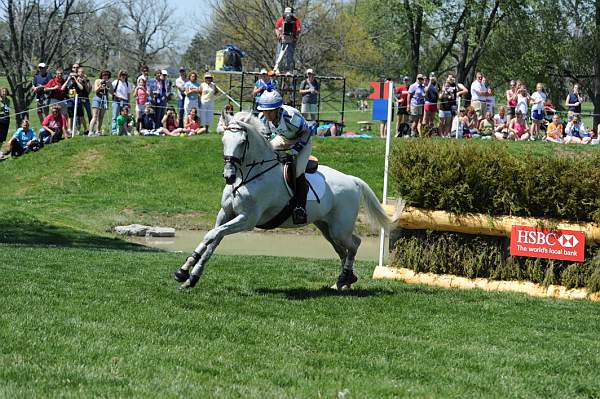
(426, 107)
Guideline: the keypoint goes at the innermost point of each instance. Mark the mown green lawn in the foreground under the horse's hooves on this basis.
(79, 322)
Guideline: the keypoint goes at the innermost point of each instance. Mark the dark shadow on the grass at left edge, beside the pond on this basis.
(22, 229)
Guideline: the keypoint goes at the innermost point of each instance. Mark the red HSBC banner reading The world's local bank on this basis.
(550, 244)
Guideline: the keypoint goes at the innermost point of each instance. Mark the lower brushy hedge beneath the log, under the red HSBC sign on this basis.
(489, 257)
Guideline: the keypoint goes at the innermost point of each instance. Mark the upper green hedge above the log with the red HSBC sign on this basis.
(499, 178)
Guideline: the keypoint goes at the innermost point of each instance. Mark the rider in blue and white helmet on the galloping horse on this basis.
(287, 130)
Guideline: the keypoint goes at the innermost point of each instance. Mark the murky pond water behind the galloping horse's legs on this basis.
(306, 245)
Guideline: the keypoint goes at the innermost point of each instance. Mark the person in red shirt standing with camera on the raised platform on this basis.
(287, 30)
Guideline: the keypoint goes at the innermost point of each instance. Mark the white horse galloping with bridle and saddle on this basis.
(256, 193)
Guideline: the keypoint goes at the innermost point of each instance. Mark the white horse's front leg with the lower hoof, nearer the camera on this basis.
(211, 241)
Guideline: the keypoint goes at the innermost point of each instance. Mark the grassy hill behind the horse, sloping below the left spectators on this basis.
(94, 184)
